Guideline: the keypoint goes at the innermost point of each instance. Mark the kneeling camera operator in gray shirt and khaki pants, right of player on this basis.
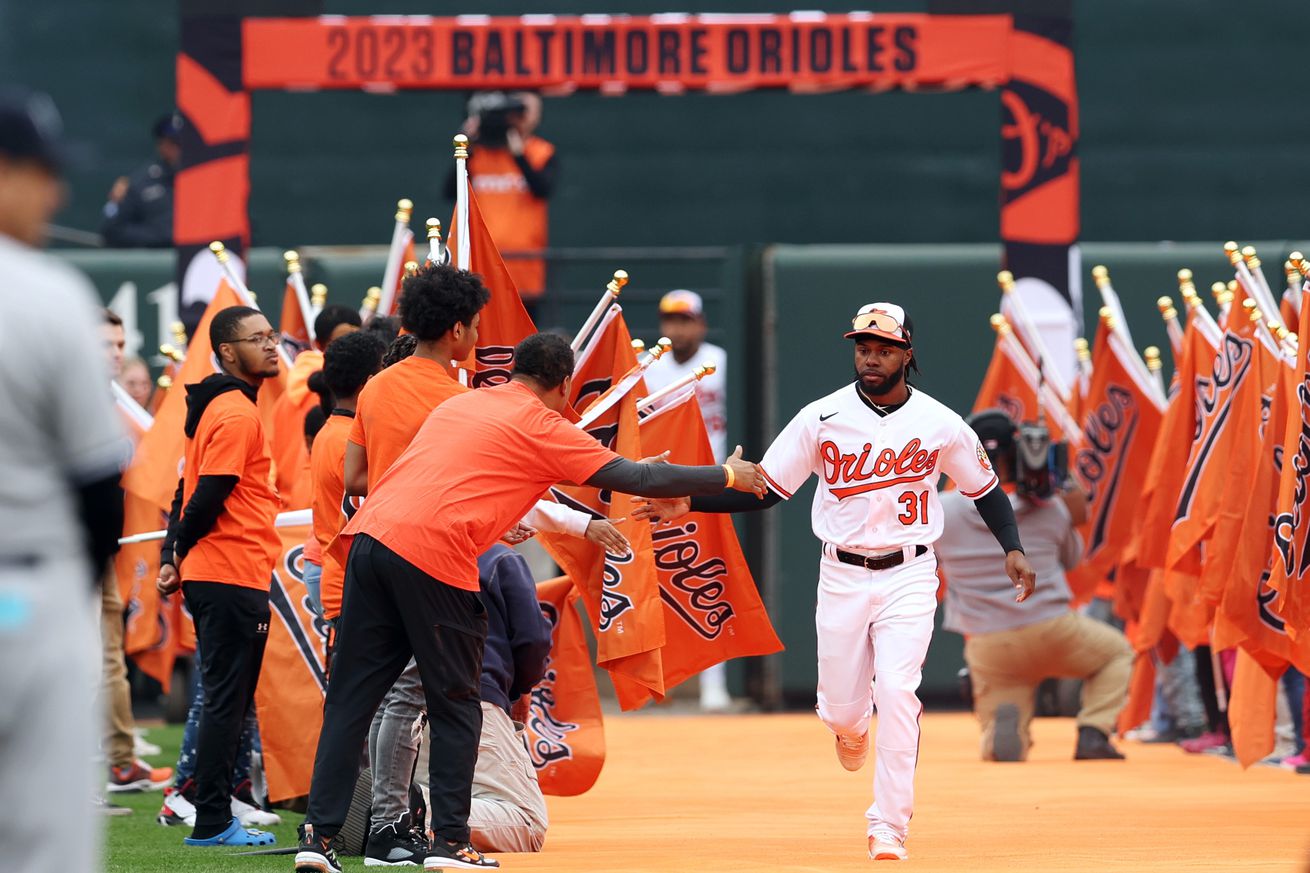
(1012, 648)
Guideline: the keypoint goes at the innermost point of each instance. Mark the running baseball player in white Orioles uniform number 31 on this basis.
(878, 448)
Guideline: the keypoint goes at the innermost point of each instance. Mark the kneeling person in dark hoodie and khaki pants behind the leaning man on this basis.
(509, 813)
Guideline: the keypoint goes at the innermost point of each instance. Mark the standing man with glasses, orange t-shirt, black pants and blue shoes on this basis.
(221, 551)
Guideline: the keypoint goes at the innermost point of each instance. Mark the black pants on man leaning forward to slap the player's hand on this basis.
(392, 611)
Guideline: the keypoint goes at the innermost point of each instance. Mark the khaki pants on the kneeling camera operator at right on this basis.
(1008, 667)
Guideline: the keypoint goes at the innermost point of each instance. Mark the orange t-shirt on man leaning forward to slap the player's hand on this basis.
(475, 469)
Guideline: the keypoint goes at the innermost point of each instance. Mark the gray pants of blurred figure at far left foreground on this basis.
(49, 723)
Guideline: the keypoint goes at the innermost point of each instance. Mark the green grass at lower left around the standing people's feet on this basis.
(137, 844)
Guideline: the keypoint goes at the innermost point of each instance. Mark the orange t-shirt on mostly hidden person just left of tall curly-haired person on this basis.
(332, 508)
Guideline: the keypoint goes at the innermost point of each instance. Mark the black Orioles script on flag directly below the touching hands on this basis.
(696, 588)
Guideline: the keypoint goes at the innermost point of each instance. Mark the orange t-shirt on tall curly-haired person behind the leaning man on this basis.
(392, 408)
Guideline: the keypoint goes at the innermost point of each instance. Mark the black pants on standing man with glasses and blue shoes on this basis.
(231, 629)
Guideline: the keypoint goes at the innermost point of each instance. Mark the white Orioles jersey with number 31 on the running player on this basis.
(877, 474)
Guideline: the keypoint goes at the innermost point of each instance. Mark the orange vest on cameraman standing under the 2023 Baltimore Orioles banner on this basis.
(517, 220)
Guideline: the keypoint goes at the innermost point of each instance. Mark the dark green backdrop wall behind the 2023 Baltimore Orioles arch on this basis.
(1189, 132)
